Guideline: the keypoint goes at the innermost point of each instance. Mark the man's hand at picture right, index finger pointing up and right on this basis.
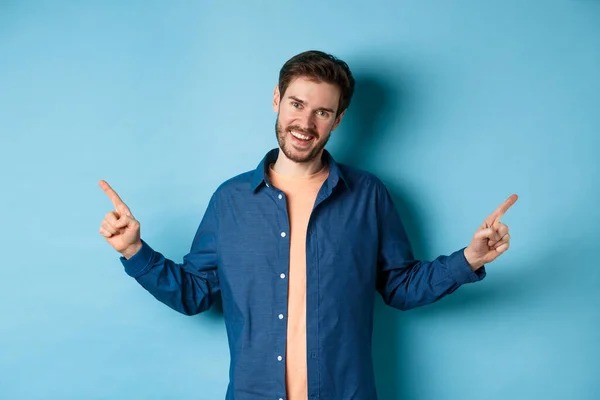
(491, 239)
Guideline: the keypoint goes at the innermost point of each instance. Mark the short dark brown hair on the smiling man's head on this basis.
(321, 67)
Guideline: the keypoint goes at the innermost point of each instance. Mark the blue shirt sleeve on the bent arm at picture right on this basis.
(404, 282)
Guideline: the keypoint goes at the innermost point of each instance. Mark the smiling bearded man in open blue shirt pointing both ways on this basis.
(297, 249)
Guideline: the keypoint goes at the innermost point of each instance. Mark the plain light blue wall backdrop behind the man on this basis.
(458, 105)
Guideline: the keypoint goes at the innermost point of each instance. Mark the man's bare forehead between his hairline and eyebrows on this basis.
(314, 93)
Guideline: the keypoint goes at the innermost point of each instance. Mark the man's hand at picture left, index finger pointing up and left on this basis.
(120, 229)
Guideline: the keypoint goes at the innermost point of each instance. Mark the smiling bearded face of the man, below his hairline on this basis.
(306, 116)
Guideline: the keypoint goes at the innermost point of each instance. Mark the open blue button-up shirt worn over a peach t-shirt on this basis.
(355, 246)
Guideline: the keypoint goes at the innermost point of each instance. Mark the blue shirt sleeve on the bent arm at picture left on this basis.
(189, 287)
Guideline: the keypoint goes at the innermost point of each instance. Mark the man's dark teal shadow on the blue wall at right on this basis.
(376, 100)
